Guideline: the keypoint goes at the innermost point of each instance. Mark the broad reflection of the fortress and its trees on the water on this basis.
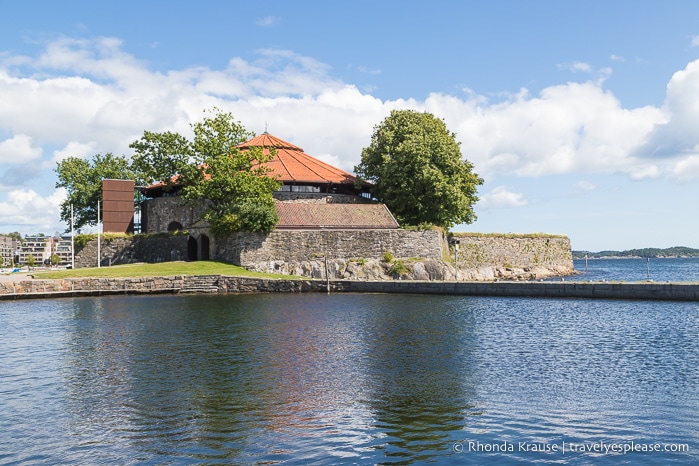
(232, 377)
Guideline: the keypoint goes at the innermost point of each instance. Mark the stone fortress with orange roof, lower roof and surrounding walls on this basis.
(328, 227)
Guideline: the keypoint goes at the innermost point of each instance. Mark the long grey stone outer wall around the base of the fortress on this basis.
(356, 254)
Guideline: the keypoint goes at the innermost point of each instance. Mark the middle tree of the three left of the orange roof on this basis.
(162, 156)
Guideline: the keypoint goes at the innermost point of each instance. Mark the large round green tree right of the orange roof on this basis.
(417, 170)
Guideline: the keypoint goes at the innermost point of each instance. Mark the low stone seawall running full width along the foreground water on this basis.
(220, 284)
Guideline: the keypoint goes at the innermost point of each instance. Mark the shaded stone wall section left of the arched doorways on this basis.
(131, 249)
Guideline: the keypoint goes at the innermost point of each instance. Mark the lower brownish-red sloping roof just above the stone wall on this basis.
(334, 216)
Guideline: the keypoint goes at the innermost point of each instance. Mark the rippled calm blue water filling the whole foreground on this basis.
(347, 379)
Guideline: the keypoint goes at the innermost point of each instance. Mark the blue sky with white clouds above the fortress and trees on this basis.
(582, 117)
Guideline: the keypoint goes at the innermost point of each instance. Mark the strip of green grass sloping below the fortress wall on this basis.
(161, 269)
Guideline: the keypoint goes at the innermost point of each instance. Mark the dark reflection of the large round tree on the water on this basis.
(419, 360)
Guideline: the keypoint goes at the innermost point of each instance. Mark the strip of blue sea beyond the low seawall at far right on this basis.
(657, 270)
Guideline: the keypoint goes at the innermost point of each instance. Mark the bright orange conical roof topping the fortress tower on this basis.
(292, 165)
